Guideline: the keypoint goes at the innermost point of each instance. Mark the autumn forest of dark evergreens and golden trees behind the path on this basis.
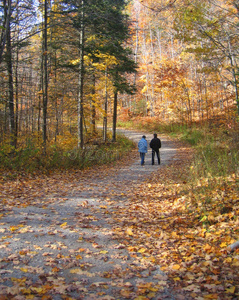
(68, 65)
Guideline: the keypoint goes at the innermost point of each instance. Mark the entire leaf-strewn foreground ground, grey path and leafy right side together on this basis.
(119, 232)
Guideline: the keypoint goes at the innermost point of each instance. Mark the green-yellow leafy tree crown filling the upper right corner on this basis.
(209, 29)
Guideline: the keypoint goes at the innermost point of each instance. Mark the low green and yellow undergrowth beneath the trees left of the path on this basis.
(61, 154)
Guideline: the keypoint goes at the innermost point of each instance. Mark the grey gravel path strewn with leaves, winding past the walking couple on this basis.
(67, 249)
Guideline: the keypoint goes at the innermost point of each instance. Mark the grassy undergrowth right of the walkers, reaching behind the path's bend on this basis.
(214, 170)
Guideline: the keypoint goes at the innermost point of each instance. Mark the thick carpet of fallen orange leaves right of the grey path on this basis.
(186, 233)
